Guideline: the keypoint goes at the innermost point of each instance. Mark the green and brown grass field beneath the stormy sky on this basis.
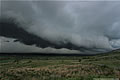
(17, 67)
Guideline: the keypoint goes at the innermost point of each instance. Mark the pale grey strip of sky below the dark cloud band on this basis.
(16, 47)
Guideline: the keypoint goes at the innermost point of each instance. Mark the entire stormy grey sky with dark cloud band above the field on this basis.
(61, 26)
